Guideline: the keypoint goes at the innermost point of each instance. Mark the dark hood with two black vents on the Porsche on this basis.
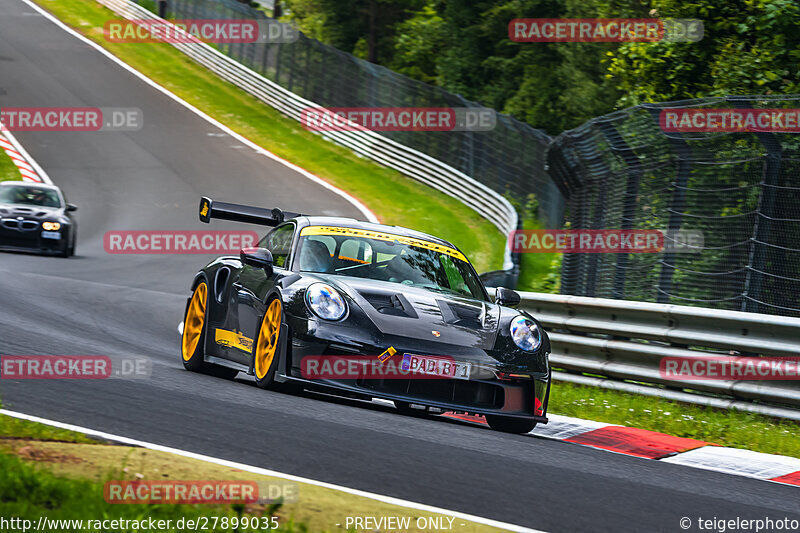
(418, 313)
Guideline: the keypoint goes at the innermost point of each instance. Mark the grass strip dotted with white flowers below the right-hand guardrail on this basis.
(736, 429)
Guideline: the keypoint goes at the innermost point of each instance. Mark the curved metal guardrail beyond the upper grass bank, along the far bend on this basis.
(387, 152)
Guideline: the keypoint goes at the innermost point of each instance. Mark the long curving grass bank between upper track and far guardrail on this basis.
(394, 198)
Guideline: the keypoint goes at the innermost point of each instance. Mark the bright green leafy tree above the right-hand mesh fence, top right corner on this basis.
(749, 47)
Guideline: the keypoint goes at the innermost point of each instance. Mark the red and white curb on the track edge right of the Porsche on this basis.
(666, 448)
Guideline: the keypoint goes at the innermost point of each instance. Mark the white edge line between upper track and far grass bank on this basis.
(369, 215)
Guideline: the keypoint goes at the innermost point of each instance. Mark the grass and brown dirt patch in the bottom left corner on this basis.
(44, 471)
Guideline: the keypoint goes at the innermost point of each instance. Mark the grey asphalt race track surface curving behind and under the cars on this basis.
(130, 305)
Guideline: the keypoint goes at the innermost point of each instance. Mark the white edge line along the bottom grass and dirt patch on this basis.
(265, 472)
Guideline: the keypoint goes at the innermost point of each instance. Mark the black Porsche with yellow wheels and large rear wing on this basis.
(383, 312)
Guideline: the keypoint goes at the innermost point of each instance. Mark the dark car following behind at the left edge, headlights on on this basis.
(35, 217)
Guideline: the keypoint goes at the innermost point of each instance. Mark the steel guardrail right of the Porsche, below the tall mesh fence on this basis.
(625, 341)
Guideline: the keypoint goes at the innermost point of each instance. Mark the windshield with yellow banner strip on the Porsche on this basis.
(387, 257)
